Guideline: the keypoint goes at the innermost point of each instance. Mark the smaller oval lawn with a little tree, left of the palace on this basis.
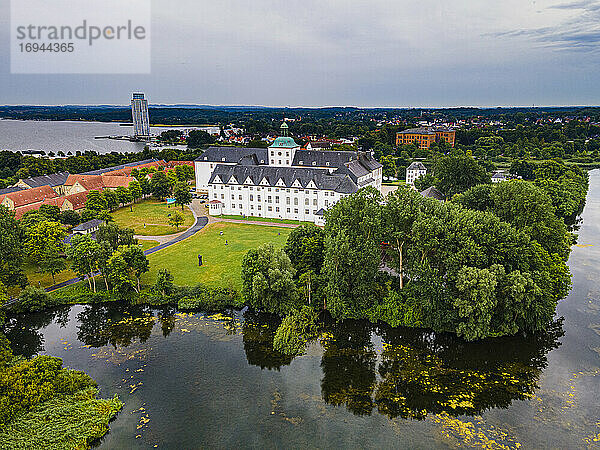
(154, 214)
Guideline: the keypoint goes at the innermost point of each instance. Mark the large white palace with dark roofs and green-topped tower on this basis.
(282, 181)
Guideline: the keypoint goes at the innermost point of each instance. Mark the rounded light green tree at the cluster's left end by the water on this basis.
(268, 280)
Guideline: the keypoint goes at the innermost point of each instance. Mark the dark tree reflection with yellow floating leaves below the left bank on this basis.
(115, 323)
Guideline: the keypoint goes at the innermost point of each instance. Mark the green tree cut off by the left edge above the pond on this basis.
(12, 238)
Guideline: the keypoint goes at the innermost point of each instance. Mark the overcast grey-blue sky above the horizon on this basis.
(346, 52)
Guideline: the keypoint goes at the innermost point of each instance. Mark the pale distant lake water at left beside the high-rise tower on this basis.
(17, 135)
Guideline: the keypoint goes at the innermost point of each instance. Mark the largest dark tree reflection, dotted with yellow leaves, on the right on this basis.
(422, 372)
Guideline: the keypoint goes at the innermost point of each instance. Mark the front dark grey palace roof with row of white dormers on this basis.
(321, 178)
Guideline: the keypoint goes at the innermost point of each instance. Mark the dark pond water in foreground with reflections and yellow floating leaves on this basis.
(195, 380)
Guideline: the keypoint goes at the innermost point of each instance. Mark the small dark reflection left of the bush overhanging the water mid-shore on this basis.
(258, 333)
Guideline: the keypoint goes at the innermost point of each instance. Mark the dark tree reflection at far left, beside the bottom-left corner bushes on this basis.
(22, 330)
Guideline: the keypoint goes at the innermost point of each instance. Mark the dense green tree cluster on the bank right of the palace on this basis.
(490, 263)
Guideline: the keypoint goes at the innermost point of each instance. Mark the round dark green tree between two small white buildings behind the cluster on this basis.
(457, 173)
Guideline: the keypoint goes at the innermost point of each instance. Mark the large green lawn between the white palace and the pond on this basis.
(222, 263)
